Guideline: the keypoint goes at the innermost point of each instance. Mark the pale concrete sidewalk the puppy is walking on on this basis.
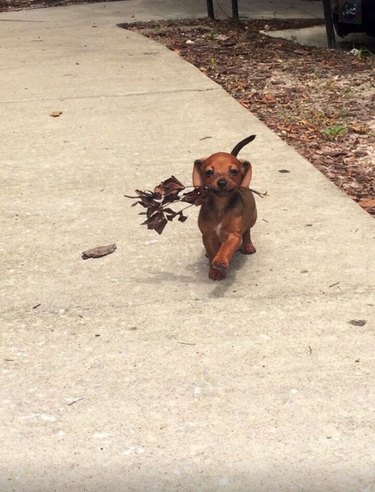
(134, 371)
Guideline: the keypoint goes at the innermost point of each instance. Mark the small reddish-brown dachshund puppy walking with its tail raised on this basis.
(228, 214)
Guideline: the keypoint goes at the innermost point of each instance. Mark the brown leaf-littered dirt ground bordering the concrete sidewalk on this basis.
(322, 102)
